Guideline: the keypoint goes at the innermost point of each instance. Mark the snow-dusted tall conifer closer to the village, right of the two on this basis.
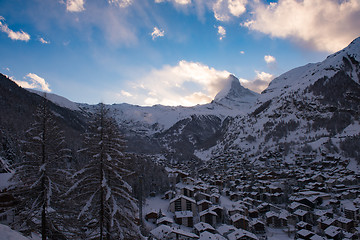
(107, 211)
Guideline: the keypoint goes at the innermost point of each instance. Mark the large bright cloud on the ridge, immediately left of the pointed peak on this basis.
(186, 84)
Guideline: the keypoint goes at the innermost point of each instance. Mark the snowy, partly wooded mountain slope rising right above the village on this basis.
(312, 109)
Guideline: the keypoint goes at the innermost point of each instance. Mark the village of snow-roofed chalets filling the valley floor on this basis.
(237, 199)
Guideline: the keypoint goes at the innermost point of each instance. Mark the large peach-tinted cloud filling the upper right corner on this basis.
(325, 25)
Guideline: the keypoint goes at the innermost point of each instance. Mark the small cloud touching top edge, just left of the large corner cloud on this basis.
(225, 9)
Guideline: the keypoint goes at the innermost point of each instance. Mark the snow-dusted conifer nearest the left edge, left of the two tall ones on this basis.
(39, 177)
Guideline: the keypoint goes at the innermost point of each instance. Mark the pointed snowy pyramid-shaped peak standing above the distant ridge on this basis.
(234, 92)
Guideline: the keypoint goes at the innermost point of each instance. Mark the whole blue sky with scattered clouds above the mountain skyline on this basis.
(170, 52)
